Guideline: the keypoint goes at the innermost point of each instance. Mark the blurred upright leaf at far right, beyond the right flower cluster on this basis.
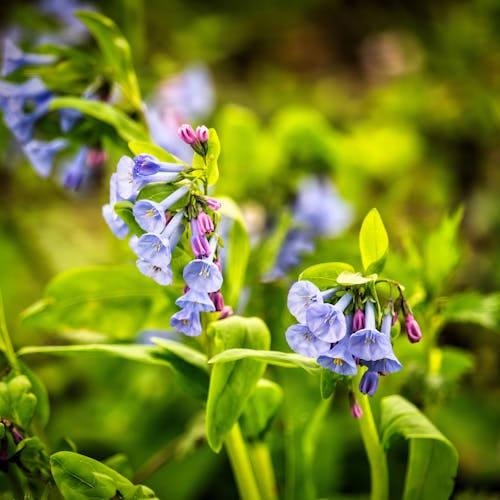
(442, 253)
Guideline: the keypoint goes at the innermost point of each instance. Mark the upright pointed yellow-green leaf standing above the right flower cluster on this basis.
(373, 243)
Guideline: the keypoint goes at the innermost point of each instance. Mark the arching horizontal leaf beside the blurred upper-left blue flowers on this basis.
(125, 127)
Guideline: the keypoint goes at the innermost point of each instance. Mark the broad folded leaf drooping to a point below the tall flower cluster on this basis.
(231, 383)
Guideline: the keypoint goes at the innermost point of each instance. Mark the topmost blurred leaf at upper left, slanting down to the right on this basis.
(116, 52)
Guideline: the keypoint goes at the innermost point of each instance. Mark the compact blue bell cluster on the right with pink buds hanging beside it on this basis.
(340, 340)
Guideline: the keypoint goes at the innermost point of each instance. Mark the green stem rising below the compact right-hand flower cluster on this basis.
(376, 456)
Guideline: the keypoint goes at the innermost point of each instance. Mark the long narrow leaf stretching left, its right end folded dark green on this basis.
(187, 364)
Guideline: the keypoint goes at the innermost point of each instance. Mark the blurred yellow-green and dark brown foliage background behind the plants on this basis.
(398, 103)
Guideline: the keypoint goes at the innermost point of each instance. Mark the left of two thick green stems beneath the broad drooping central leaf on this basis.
(240, 463)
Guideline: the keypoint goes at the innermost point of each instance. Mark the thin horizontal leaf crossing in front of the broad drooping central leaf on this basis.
(277, 358)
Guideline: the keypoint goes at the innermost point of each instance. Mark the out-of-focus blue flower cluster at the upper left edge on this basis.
(25, 104)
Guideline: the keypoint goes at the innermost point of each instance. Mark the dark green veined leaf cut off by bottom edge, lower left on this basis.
(79, 478)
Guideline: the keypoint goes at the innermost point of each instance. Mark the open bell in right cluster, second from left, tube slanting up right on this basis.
(327, 321)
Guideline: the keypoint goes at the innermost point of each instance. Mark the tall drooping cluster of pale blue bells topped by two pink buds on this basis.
(163, 223)
